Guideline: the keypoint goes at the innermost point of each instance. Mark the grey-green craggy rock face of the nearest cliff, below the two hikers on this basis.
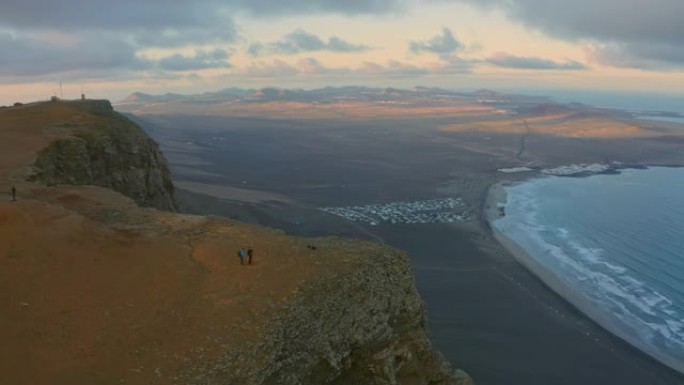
(364, 326)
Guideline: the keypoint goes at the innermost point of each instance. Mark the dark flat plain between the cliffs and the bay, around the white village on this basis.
(488, 315)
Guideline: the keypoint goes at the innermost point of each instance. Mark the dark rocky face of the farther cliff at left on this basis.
(108, 151)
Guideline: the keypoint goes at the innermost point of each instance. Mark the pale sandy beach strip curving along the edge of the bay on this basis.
(496, 198)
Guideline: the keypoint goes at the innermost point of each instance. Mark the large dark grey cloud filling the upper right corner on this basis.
(627, 27)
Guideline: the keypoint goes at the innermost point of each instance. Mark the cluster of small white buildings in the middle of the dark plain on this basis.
(428, 211)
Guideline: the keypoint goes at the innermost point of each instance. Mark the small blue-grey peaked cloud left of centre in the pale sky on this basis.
(300, 41)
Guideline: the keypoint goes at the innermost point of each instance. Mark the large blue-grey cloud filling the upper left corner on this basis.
(160, 23)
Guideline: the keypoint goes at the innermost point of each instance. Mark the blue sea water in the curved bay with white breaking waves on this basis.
(616, 245)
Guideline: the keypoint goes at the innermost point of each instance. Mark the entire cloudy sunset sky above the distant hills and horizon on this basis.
(111, 49)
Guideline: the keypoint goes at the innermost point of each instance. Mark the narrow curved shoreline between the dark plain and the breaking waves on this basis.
(497, 197)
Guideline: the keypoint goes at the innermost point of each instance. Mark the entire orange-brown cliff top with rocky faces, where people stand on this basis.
(95, 289)
